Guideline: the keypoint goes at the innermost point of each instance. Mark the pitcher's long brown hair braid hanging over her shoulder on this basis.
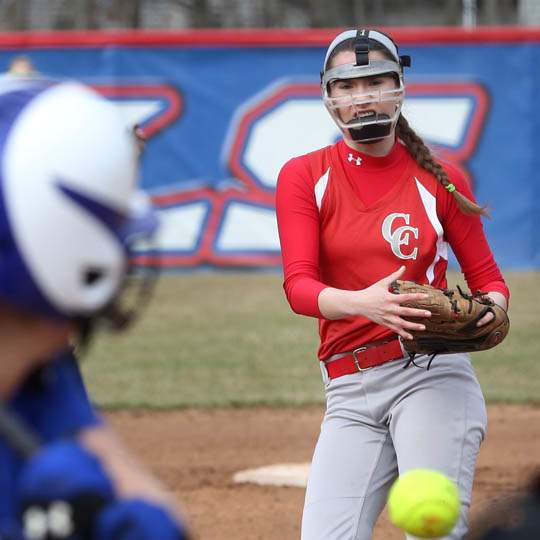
(423, 156)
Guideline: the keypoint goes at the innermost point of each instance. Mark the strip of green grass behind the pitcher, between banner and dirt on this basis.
(215, 340)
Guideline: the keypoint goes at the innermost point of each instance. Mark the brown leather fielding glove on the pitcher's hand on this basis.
(452, 325)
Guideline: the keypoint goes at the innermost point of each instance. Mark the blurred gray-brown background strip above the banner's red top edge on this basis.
(100, 14)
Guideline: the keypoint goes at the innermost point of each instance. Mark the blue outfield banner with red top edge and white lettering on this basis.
(223, 110)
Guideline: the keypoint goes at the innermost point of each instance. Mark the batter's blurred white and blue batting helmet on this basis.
(70, 208)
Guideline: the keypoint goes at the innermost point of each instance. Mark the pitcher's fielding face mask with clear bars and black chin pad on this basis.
(373, 126)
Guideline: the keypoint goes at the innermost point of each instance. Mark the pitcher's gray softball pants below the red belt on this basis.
(384, 421)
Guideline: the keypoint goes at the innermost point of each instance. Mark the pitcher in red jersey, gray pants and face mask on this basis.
(352, 217)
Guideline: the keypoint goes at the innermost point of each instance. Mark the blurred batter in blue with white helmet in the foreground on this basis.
(69, 214)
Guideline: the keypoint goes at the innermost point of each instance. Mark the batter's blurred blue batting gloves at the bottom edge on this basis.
(65, 493)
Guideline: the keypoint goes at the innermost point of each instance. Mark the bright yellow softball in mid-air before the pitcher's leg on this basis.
(424, 503)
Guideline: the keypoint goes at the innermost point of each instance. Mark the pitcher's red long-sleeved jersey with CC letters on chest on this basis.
(347, 219)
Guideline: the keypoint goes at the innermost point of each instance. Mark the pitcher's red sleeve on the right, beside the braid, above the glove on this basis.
(466, 236)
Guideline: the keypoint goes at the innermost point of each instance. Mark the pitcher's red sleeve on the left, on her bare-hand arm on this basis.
(298, 226)
